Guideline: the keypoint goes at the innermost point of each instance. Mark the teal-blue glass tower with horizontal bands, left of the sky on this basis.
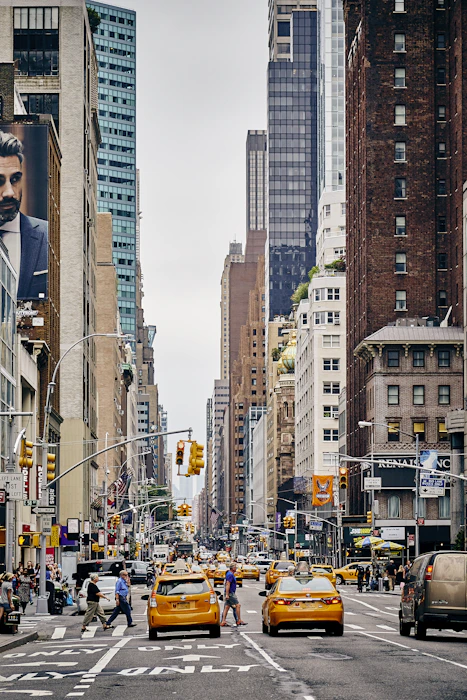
(115, 42)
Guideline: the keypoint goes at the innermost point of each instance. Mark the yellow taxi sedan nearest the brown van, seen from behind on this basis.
(303, 602)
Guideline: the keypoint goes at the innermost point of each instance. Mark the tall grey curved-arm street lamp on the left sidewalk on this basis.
(42, 608)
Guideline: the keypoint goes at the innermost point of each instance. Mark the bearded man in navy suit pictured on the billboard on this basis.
(25, 238)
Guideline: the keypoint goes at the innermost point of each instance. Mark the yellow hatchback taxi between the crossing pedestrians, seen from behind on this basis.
(183, 601)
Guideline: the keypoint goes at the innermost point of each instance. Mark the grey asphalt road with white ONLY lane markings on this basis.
(370, 662)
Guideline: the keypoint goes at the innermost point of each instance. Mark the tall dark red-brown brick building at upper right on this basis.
(405, 169)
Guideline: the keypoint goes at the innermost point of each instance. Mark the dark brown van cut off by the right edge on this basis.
(435, 594)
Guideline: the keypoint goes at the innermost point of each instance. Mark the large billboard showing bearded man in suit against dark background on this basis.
(24, 187)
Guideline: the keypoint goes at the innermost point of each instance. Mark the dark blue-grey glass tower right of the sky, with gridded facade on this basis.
(292, 134)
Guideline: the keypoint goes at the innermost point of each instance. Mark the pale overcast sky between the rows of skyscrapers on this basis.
(201, 84)
